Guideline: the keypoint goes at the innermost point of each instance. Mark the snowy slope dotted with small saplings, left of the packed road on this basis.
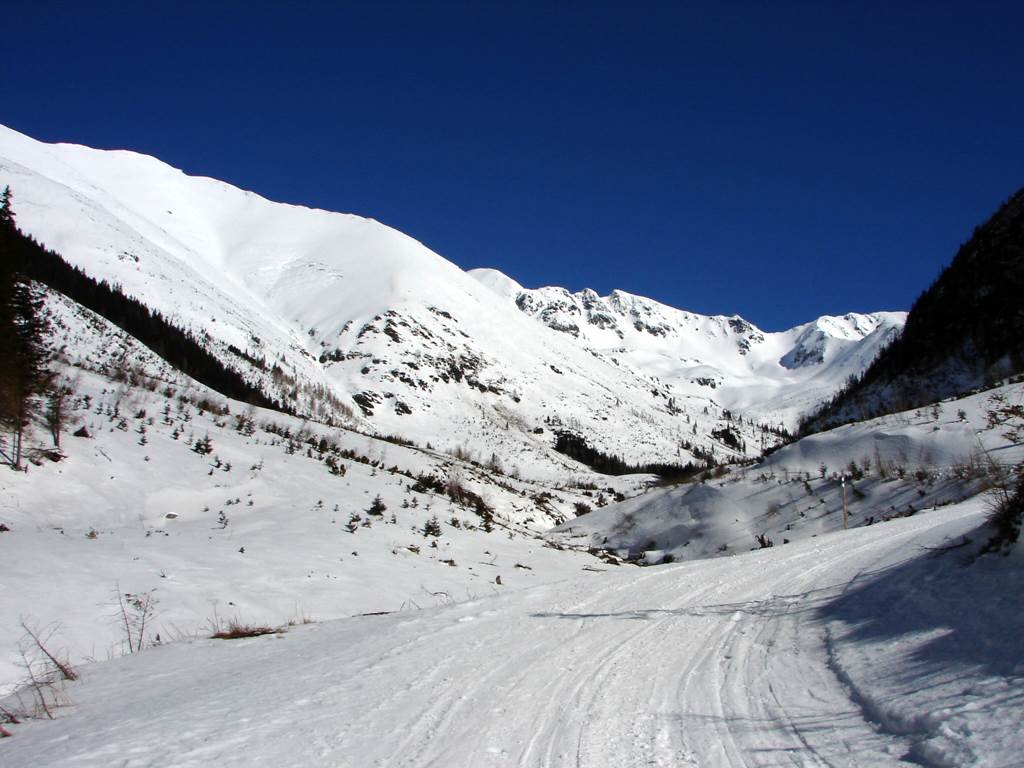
(270, 526)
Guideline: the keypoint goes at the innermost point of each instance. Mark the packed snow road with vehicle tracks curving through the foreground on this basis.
(733, 662)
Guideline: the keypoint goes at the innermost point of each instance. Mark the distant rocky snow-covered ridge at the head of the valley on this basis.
(772, 377)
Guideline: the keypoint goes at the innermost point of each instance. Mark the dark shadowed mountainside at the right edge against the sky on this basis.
(963, 333)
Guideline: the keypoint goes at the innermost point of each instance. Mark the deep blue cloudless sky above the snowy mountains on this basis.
(780, 161)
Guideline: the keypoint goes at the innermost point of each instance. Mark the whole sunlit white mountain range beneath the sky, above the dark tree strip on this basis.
(340, 317)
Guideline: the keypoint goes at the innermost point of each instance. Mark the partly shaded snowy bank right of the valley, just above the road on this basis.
(895, 466)
